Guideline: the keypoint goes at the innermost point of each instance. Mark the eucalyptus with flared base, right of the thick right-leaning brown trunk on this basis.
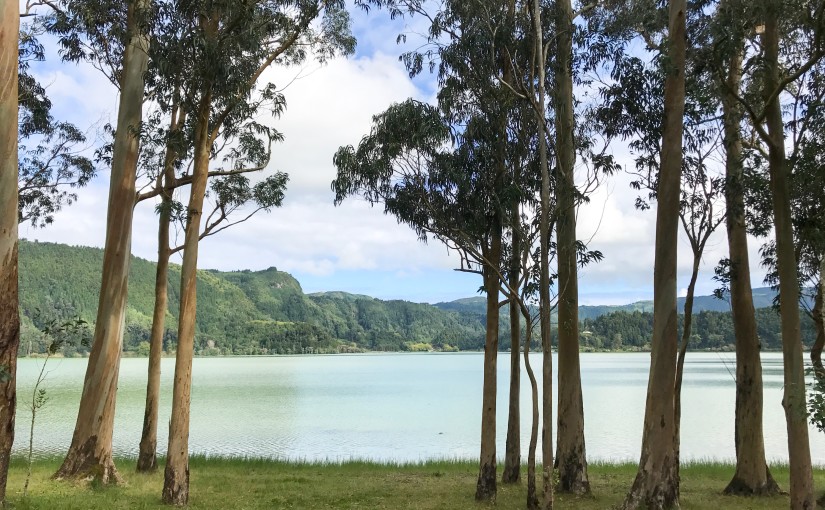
(752, 475)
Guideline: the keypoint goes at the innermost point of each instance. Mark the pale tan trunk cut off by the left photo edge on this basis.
(9, 314)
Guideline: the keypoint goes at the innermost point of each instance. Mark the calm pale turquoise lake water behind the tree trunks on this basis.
(395, 407)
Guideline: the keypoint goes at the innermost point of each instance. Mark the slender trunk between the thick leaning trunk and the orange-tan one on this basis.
(147, 455)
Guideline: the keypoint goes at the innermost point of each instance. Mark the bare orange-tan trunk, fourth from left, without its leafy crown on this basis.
(176, 474)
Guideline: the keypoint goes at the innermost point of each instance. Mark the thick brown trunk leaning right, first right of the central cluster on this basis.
(657, 481)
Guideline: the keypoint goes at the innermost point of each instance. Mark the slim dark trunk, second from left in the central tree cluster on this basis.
(512, 455)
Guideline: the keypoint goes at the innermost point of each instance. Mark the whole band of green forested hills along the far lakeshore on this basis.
(267, 312)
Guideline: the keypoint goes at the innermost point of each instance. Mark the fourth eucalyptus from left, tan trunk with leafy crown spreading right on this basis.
(230, 44)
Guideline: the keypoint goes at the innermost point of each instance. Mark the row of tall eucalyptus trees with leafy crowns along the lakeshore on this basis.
(718, 103)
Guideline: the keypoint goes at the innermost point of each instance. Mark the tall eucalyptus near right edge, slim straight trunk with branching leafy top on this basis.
(789, 46)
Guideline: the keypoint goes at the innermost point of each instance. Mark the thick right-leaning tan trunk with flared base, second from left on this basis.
(90, 452)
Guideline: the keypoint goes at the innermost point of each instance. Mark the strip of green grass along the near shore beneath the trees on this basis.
(264, 484)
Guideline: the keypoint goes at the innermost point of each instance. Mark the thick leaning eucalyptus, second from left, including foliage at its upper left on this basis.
(113, 36)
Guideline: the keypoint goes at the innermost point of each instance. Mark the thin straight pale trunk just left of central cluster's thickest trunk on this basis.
(544, 271)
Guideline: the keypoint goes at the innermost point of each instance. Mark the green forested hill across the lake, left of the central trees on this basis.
(239, 312)
